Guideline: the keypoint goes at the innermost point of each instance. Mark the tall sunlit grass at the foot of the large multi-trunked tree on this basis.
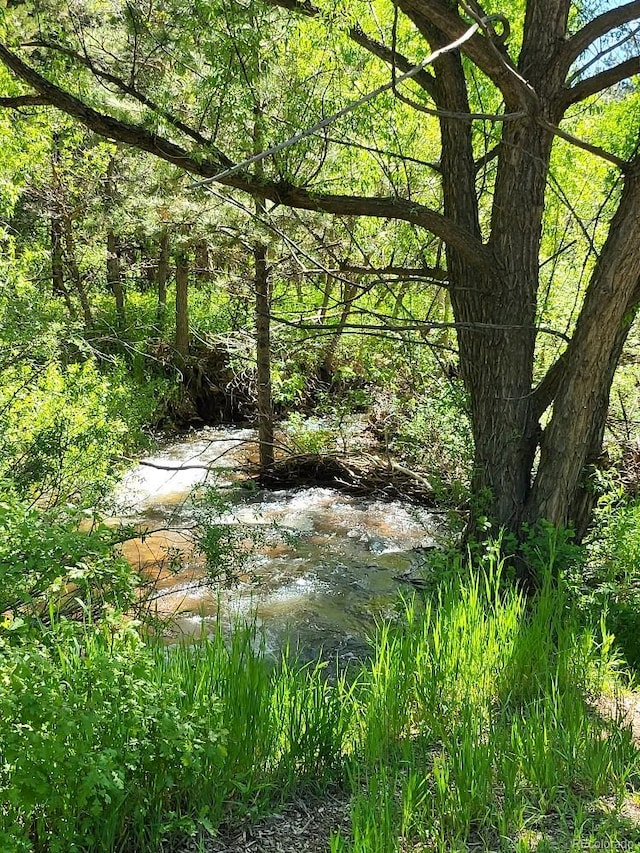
(476, 726)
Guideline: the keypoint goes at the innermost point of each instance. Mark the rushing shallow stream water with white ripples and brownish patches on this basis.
(326, 567)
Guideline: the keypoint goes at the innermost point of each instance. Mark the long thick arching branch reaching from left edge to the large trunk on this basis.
(277, 191)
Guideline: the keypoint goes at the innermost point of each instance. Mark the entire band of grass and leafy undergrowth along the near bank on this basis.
(469, 728)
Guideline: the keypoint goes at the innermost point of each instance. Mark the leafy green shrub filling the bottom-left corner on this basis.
(99, 744)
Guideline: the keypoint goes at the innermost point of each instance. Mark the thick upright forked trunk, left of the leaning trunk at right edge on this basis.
(495, 307)
